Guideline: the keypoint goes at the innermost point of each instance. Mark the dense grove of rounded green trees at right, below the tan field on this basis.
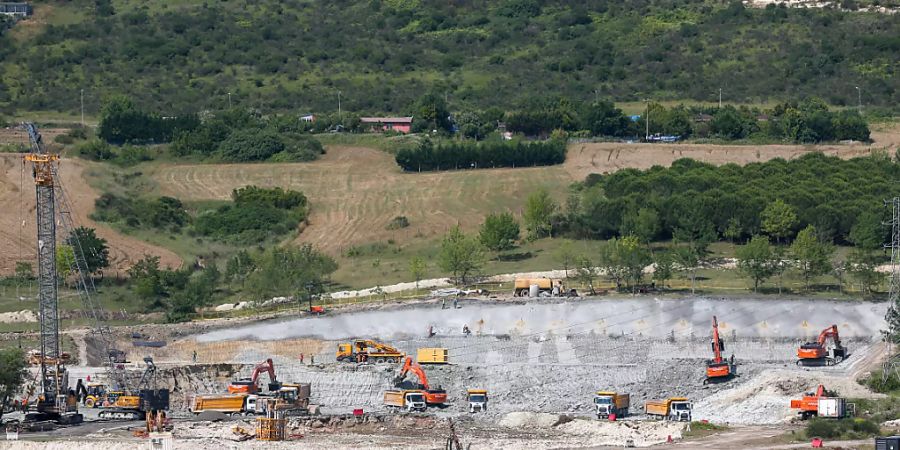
(732, 202)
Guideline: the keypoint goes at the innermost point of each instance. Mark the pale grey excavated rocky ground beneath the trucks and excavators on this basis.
(541, 362)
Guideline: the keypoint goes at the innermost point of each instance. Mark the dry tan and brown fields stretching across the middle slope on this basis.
(356, 191)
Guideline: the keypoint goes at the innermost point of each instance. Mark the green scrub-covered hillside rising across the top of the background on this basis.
(381, 55)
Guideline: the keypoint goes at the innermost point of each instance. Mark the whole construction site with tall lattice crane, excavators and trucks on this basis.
(534, 366)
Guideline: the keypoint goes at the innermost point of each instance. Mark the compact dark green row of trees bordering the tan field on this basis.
(427, 155)
